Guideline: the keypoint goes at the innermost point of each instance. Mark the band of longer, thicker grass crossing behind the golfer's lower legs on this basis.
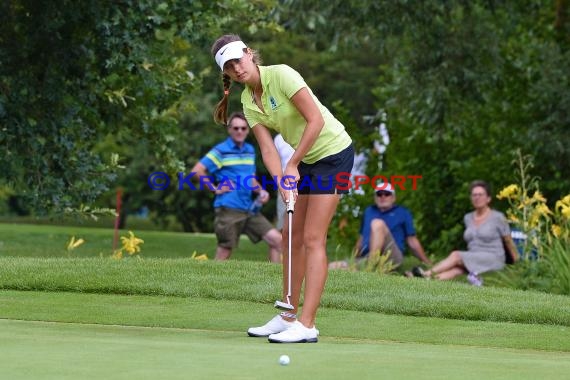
(260, 282)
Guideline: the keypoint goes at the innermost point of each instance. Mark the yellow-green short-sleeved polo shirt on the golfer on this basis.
(280, 83)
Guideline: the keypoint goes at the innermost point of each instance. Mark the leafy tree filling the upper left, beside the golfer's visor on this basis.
(75, 74)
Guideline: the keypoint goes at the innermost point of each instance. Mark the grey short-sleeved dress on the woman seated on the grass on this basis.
(485, 251)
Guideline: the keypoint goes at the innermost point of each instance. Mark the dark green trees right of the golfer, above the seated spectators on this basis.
(463, 84)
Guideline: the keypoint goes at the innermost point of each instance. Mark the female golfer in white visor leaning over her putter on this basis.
(277, 97)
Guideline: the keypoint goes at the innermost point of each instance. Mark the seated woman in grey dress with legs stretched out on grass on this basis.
(487, 235)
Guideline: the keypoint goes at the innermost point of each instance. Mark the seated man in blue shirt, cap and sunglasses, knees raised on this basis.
(386, 228)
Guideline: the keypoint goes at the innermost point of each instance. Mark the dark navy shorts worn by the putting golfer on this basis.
(329, 175)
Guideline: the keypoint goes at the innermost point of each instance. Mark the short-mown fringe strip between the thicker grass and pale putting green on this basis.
(237, 316)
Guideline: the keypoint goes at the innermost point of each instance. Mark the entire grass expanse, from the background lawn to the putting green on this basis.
(78, 315)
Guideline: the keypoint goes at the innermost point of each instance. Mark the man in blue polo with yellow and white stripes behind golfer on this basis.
(230, 162)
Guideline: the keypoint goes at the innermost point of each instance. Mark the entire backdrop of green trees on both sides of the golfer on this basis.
(461, 85)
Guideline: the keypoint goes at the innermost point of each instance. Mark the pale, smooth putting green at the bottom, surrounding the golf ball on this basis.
(50, 350)
